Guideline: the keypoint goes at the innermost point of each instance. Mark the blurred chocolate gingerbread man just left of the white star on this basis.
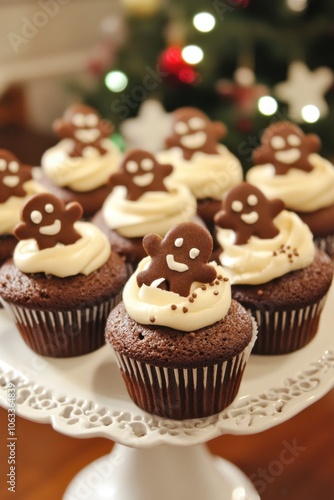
(85, 127)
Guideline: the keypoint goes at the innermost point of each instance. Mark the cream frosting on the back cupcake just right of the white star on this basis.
(208, 176)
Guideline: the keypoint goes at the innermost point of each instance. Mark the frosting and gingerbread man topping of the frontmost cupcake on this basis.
(175, 286)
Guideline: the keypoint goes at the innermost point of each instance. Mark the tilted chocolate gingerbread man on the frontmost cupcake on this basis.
(179, 259)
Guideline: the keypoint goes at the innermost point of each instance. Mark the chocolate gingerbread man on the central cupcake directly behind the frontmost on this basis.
(140, 172)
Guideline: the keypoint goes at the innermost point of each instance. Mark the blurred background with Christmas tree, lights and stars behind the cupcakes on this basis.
(244, 62)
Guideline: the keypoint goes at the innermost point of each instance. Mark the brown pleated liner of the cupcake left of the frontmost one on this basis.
(63, 334)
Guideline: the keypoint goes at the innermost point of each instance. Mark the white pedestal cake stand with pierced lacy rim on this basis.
(155, 458)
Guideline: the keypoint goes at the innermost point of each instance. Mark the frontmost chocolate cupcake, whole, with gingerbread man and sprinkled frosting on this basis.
(180, 341)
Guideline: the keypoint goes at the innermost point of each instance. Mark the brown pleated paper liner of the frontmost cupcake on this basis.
(182, 393)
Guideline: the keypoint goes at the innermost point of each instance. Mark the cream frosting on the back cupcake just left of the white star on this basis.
(83, 173)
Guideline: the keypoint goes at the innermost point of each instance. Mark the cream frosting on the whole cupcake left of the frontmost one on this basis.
(82, 257)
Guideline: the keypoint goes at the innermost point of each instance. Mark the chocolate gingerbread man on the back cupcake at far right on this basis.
(285, 146)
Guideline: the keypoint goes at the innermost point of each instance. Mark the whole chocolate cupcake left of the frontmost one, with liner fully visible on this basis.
(62, 281)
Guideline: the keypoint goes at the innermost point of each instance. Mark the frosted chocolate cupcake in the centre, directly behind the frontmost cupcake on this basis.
(144, 199)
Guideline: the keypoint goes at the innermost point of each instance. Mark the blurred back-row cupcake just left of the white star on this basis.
(79, 166)
